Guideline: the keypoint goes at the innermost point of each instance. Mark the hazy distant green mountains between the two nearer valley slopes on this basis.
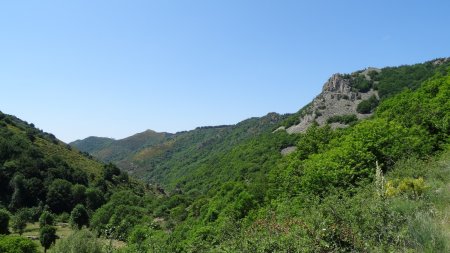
(165, 158)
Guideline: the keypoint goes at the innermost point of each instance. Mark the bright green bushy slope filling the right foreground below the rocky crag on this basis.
(379, 185)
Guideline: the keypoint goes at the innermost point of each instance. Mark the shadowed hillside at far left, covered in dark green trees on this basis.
(36, 169)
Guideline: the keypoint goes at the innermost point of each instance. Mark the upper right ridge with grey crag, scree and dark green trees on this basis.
(345, 98)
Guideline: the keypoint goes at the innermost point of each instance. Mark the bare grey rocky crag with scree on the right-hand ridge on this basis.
(338, 97)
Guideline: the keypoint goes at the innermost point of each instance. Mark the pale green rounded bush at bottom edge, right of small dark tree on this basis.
(80, 241)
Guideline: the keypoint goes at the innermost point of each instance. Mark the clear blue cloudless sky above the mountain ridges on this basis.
(115, 68)
